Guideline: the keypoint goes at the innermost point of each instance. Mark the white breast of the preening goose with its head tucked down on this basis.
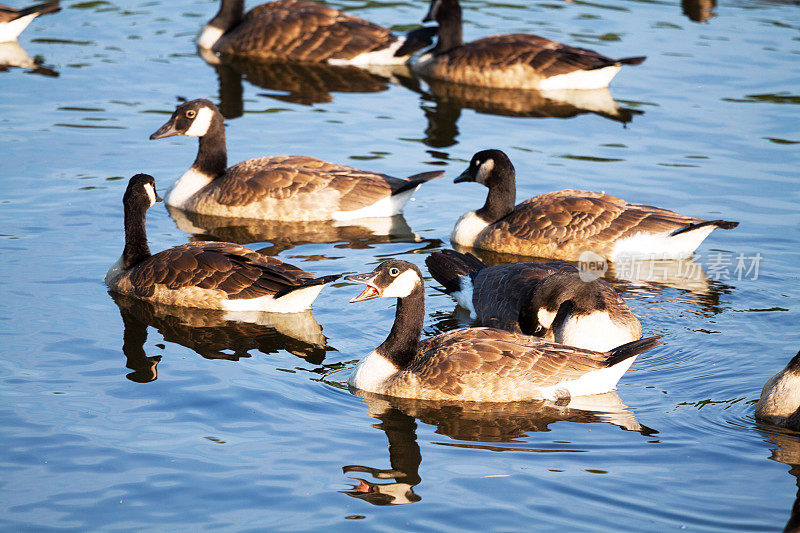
(595, 331)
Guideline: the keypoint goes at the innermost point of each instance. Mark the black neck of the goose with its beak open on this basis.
(400, 347)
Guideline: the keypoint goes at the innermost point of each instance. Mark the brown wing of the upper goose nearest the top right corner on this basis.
(547, 57)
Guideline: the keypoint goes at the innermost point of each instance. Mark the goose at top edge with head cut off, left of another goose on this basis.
(299, 30)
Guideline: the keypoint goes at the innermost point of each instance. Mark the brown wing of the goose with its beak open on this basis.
(452, 361)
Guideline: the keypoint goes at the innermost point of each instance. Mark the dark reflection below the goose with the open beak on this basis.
(487, 425)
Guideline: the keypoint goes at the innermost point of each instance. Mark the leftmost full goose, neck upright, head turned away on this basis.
(211, 275)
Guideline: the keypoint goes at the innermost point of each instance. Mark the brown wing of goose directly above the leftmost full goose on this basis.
(287, 177)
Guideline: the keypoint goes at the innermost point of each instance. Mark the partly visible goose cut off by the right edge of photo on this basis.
(779, 404)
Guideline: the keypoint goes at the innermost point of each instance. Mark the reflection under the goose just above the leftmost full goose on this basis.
(358, 233)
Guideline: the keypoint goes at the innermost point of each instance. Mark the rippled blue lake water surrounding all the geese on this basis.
(116, 415)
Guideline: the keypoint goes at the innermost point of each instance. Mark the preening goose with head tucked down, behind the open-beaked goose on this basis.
(549, 300)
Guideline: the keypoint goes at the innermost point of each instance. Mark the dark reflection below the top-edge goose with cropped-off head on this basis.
(297, 83)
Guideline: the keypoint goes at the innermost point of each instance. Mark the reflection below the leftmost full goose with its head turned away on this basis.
(215, 334)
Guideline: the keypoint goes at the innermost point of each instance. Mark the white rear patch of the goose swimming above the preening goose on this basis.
(661, 245)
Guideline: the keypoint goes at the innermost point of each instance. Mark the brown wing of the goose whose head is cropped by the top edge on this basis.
(304, 31)
